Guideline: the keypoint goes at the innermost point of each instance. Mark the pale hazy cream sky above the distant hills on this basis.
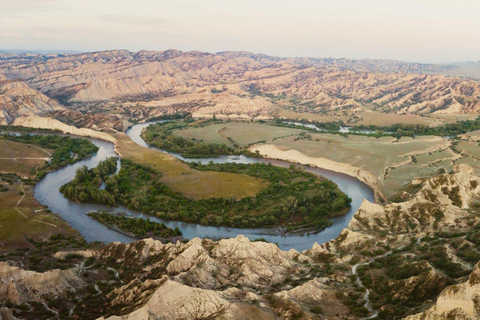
(420, 30)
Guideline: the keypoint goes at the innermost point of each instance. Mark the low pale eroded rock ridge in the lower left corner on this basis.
(20, 285)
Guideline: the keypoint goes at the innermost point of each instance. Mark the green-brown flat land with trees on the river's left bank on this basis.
(22, 217)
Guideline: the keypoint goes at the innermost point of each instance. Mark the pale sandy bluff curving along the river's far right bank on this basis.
(294, 156)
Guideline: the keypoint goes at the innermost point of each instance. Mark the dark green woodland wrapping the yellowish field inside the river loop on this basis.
(293, 198)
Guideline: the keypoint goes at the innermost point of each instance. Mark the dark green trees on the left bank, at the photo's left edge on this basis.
(67, 150)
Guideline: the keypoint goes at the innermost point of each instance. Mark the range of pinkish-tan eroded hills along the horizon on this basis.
(144, 84)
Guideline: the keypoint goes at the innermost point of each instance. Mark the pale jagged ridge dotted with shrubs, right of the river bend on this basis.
(439, 202)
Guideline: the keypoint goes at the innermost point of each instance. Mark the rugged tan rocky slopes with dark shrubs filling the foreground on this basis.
(389, 256)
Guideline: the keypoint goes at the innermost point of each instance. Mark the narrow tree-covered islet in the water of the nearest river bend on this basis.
(138, 226)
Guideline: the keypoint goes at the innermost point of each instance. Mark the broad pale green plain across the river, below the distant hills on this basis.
(395, 162)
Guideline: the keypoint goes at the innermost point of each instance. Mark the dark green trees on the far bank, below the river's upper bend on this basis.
(160, 135)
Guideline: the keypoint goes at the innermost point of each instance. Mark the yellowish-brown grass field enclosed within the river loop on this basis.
(192, 183)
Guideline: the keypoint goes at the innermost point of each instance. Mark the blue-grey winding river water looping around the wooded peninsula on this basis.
(47, 193)
